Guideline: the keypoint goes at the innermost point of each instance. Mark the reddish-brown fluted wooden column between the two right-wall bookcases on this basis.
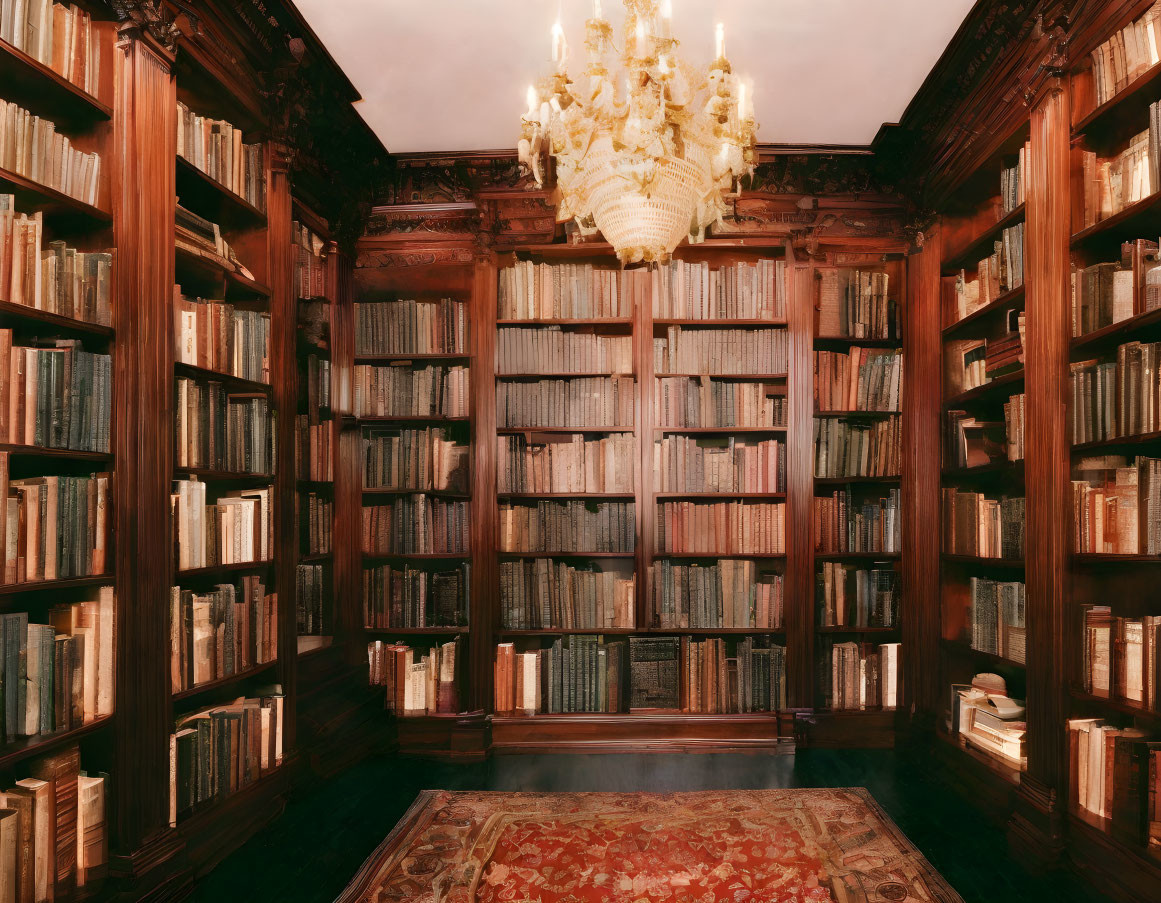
(1049, 515)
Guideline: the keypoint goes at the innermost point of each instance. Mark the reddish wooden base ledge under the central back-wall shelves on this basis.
(643, 733)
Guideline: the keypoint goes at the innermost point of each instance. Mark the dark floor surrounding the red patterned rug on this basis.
(314, 850)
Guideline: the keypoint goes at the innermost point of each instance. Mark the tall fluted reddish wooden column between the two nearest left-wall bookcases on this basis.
(145, 117)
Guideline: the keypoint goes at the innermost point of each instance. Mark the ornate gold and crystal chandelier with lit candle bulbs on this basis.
(650, 155)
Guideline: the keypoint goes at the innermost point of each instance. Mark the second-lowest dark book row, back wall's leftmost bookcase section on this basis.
(414, 597)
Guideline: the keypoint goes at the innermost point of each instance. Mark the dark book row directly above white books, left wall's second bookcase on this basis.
(223, 431)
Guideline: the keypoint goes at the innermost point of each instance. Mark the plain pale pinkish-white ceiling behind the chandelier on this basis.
(452, 75)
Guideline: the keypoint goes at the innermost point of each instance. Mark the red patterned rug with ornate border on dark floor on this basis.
(744, 847)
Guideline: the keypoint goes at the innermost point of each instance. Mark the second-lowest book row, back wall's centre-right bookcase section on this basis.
(727, 594)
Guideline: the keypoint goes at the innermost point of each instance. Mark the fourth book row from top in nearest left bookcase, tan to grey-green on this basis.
(57, 396)
